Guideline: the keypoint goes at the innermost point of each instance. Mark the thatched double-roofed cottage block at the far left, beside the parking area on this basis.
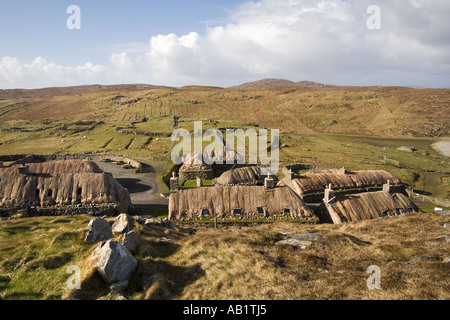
(62, 183)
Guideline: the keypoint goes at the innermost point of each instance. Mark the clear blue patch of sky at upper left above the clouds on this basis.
(30, 28)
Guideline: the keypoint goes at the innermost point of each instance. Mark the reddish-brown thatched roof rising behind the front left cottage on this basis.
(56, 167)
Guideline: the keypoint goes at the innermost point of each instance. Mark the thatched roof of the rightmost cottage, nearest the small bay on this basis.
(369, 205)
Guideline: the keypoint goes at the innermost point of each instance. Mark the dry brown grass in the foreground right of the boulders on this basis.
(246, 264)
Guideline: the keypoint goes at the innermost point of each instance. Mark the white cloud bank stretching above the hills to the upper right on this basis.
(325, 41)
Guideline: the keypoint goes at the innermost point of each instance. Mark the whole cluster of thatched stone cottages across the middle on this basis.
(242, 193)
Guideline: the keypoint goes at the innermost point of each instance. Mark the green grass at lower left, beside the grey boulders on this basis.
(35, 254)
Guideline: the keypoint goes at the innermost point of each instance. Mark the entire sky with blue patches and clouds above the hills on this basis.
(224, 42)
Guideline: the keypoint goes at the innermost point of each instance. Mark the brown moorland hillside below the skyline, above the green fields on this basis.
(301, 108)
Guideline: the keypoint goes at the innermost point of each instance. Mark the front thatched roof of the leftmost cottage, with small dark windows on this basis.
(46, 189)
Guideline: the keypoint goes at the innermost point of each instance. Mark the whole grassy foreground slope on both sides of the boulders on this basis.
(230, 263)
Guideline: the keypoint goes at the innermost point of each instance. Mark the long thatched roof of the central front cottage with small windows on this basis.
(221, 201)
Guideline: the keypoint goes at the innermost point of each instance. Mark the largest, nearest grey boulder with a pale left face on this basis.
(114, 262)
